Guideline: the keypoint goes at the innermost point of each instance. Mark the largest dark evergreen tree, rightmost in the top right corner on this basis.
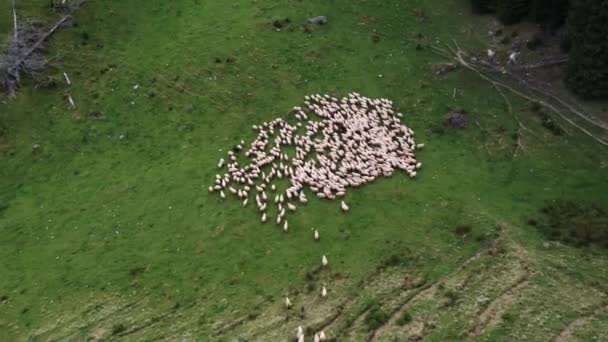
(587, 72)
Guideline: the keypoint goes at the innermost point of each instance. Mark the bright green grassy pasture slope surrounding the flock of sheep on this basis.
(113, 207)
